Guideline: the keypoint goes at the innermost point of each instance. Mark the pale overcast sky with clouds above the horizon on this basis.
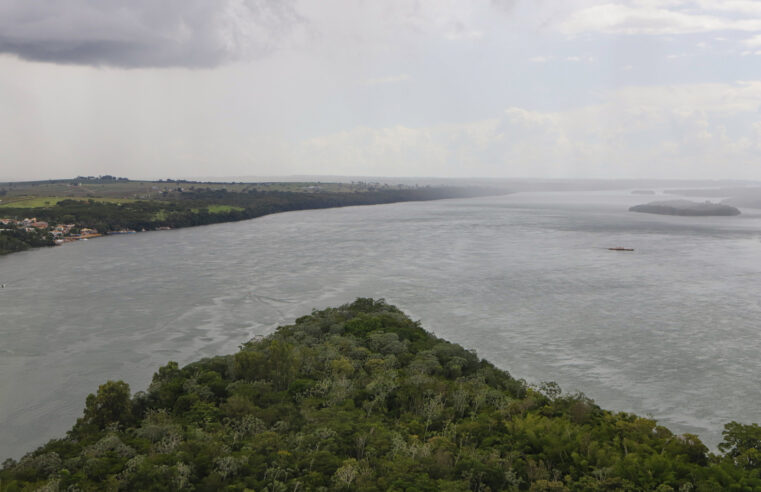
(476, 88)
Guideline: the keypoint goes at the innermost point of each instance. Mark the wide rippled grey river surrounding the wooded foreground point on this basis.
(671, 330)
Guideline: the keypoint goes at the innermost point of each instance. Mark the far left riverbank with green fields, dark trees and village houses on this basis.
(46, 213)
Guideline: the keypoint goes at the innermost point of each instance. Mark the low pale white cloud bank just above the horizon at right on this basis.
(664, 132)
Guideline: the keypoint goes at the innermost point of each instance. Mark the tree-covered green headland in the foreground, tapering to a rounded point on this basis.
(360, 397)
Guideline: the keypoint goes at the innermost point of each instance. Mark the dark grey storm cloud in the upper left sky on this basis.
(143, 33)
